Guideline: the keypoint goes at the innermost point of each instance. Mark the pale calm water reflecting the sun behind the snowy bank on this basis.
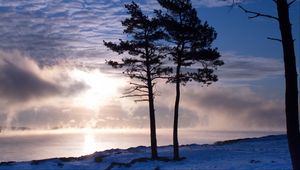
(32, 145)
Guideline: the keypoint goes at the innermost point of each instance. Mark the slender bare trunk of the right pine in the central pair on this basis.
(176, 110)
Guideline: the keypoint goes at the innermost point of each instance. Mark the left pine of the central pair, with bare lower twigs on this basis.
(145, 63)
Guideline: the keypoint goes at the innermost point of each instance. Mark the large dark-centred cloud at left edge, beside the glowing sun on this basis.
(26, 86)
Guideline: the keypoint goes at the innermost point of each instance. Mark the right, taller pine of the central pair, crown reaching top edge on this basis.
(190, 50)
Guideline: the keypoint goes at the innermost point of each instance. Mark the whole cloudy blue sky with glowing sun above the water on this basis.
(53, 75)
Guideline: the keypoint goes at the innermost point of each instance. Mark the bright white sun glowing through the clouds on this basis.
(100, 88)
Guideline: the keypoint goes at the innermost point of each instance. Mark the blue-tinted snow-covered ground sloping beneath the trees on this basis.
(266, 153)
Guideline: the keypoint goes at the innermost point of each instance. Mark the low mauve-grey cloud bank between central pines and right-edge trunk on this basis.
(235, 108)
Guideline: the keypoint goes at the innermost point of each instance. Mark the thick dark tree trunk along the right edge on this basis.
(291, 96)
